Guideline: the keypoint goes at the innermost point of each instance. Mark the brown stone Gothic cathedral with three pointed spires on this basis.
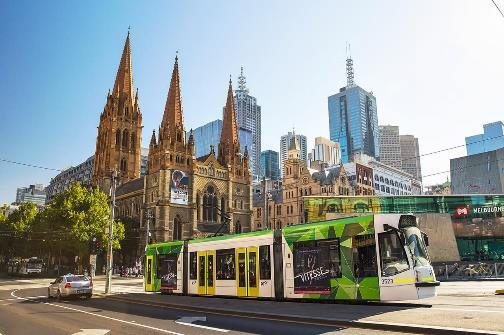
(182, 196)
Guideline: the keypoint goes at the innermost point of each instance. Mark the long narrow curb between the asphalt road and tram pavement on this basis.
(373, 325)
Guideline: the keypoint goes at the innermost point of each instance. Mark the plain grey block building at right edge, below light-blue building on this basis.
(478, 174)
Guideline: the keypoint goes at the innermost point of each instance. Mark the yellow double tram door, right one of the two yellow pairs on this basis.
(247, 266)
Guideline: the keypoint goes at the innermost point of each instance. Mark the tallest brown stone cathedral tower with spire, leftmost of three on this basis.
(120, 129)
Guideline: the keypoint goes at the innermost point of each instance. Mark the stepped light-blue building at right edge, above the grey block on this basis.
(491, 139)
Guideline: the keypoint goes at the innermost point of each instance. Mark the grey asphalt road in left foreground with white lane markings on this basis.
(28, 311)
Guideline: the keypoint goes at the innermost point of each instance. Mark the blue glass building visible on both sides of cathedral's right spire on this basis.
(209, 135)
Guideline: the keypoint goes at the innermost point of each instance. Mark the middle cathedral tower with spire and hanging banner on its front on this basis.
(169, 171)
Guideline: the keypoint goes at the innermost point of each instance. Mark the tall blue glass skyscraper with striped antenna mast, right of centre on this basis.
(353, 119)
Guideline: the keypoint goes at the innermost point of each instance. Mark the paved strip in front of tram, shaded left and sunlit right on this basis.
(397, 317)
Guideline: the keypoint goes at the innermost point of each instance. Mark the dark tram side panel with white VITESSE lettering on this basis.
(315, 263)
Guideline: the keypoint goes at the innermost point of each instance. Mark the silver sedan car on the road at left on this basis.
(70, 285)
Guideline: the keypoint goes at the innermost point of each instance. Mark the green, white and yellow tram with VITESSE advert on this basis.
(374, 257)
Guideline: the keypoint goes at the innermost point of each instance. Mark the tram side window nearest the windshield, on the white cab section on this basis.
(392, 255)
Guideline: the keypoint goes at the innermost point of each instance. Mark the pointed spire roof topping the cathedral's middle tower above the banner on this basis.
(173, 116)
